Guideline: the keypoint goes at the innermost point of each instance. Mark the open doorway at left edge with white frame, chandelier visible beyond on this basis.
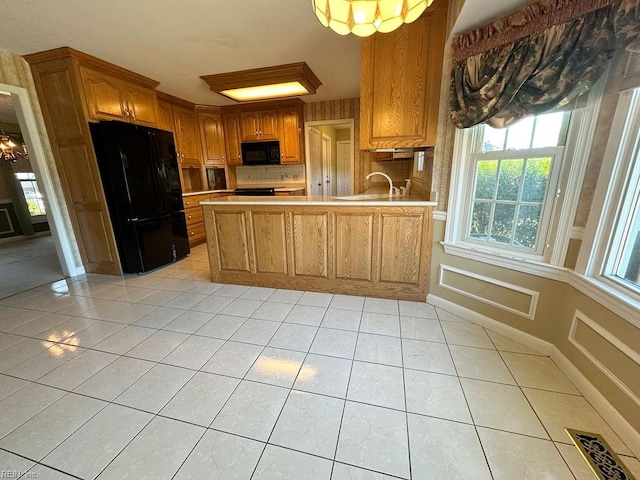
(35, 247)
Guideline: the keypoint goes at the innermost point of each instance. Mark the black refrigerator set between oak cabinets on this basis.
(139, 171)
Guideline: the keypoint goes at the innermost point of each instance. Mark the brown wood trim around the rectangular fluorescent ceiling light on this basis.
(291, 72)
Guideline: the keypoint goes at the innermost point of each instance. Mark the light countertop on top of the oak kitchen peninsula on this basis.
(351, 201)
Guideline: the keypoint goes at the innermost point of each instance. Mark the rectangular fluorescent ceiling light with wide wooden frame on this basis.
(291, 80)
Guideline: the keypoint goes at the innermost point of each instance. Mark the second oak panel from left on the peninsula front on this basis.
(269, 236)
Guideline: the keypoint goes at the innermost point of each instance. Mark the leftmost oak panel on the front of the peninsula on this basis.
(231, 236)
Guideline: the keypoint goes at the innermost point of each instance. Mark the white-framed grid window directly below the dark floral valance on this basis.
(515, 176)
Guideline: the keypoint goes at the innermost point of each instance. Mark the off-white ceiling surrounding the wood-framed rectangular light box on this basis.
(175, 42)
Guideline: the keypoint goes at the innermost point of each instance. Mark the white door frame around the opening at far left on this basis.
(63, 238)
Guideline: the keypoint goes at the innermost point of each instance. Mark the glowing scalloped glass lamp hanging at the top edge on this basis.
(365, 17)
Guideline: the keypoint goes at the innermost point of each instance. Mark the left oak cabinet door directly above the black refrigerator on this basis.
(105, 95)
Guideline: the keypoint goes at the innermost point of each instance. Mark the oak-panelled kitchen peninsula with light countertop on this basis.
(374, 245)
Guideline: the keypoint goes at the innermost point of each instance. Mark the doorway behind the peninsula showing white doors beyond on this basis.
(330, 157)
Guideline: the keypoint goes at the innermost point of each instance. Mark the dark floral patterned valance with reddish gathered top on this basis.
(540, 71)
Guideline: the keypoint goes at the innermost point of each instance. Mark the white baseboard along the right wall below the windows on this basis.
(616, 421)
